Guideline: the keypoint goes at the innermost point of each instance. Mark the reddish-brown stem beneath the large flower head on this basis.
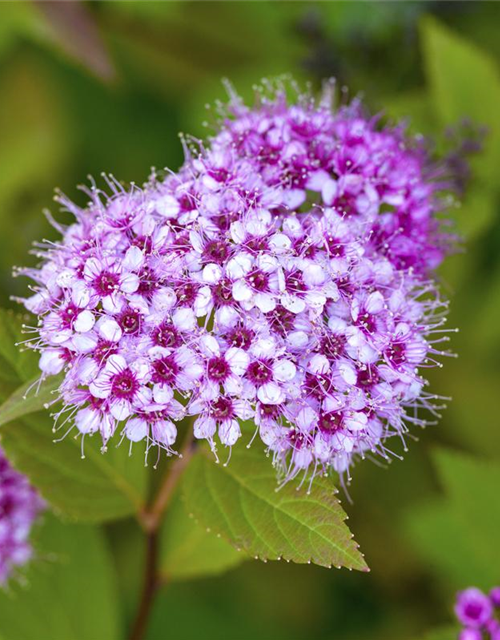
(151, 520)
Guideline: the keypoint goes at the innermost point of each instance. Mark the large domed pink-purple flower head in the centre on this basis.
(281, 276)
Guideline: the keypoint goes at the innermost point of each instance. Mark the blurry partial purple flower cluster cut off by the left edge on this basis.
(20, 505)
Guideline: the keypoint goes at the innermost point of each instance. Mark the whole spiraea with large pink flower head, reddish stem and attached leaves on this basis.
(274, 295)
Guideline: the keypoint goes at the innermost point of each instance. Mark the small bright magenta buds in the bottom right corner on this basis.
(478, 613)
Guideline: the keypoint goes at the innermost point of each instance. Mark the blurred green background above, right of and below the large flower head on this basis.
(96, 86)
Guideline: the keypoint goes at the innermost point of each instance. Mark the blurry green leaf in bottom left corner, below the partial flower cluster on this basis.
(70, 590)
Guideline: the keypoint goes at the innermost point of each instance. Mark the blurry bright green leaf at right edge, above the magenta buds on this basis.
(459, 536)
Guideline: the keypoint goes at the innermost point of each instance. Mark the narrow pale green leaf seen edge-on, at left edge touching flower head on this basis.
(29, 398)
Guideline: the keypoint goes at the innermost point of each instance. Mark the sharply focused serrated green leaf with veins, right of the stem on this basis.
(240, 502)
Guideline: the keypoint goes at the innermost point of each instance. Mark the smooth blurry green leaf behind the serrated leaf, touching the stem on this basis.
(188, 551)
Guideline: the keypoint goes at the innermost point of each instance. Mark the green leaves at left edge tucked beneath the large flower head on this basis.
(102, 487)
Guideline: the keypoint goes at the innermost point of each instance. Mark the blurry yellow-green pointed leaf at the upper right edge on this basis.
(465, 82)
